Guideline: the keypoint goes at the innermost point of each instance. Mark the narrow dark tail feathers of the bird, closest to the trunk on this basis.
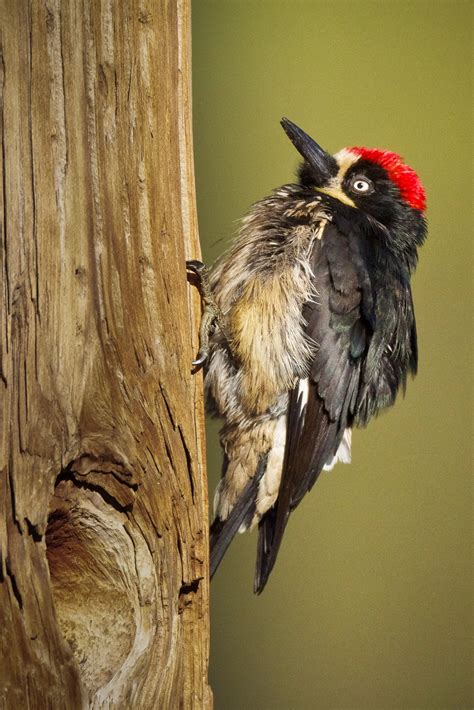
(223, 531)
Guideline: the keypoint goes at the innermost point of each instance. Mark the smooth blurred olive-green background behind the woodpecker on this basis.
(370, 603)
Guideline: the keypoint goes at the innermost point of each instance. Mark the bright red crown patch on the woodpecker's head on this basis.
(403, 176)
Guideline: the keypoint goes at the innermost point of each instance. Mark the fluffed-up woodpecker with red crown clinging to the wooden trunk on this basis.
(308, 331)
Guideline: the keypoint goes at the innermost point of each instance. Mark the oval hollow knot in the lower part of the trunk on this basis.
(102, 572)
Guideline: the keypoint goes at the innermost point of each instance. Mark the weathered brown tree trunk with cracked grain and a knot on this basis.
(103, 504)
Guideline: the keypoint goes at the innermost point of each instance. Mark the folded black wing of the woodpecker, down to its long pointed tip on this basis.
(340, 322)
